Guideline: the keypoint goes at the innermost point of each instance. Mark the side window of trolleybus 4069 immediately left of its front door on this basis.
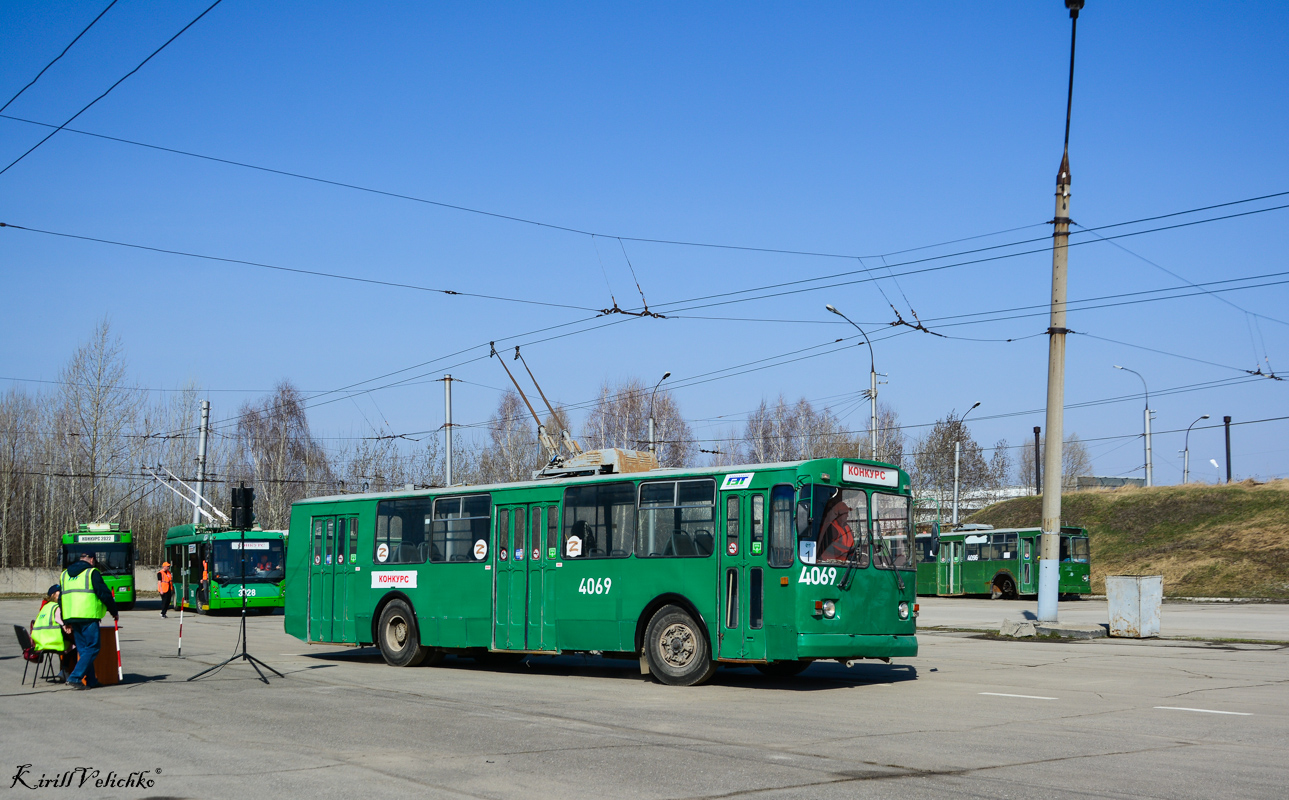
(676, 519)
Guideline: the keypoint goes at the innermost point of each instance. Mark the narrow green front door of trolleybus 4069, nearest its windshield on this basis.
(743, 569)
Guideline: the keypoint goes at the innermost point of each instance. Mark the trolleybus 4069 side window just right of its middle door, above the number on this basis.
(600, 521)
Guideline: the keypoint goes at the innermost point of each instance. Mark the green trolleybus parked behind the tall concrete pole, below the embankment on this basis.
(1003, 564)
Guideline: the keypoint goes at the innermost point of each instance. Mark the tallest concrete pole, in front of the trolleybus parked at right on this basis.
(1050, 565)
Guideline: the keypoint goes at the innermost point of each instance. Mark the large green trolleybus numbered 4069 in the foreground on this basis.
(681, 567)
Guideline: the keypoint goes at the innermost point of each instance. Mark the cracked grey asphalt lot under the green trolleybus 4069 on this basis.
(970, 717)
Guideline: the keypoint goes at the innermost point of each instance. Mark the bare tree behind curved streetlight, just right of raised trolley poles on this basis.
(621, 419)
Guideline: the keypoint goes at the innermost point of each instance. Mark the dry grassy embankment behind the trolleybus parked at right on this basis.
(1206, 540)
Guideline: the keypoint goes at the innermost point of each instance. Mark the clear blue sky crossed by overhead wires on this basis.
(850, 131)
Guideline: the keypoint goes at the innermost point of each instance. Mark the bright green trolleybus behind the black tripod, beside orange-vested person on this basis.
(191, 548)
